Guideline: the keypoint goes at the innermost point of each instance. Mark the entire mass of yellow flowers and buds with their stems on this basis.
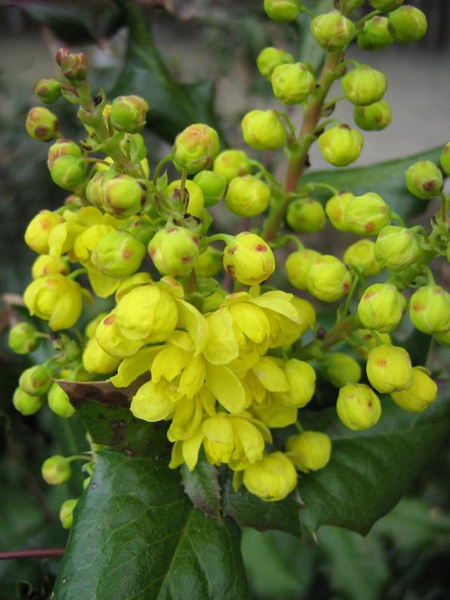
(196, 327)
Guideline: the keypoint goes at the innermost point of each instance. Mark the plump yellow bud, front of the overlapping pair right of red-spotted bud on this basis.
(328, 279)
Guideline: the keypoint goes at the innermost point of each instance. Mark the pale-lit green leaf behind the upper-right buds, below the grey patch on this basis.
(386, 179)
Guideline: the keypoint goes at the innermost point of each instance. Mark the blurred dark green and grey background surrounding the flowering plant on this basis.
(195, 60)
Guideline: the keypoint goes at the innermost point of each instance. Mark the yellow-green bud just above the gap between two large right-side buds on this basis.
(397, 247)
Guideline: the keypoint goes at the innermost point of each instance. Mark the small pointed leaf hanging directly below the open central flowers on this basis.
(202, 487)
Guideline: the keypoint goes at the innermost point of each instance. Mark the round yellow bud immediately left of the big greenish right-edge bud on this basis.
(381, 307)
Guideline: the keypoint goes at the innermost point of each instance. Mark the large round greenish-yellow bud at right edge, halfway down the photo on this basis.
(429, 309)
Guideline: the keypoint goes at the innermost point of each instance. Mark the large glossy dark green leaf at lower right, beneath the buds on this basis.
(370, 470)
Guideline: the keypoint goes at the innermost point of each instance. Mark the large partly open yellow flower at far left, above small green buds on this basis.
(55, 299)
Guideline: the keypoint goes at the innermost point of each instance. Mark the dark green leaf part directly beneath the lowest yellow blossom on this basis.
(249, 511)
